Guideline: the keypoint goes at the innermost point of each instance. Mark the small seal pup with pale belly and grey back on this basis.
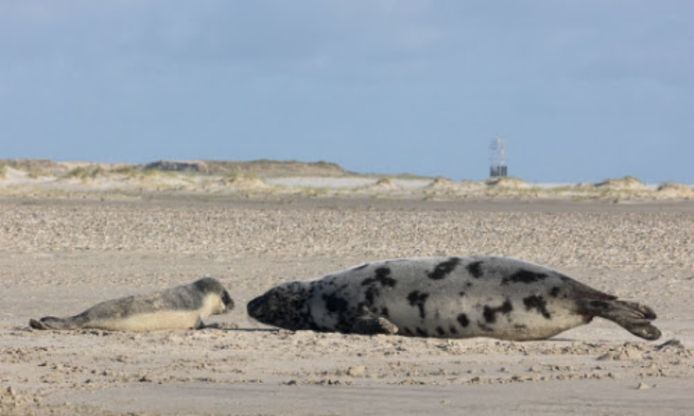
(181, 307)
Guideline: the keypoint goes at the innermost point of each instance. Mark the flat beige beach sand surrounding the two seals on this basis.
(61, 256)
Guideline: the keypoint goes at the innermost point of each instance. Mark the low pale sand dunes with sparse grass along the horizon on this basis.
(320, 179)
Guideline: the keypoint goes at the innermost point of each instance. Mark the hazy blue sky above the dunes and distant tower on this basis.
(580, 90)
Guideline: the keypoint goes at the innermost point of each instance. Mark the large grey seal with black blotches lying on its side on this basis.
(447, 297)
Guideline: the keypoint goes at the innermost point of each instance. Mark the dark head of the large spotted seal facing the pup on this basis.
(285, 306)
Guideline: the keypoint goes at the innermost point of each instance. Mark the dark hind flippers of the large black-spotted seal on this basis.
(634, 317)
